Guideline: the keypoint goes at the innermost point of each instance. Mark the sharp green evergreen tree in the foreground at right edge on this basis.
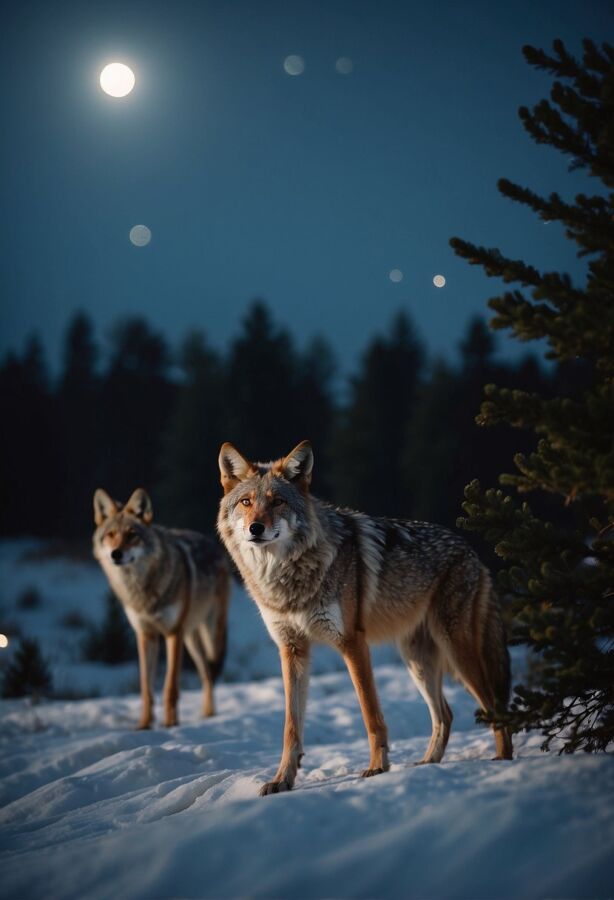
(560, 573)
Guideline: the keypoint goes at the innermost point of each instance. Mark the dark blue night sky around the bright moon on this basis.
(306, 187)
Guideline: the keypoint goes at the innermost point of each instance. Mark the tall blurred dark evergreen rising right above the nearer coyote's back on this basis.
(369, 444)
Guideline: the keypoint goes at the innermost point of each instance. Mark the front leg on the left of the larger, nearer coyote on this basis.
(295, 671)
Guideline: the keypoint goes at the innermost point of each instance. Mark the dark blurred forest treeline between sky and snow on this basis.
(402, 443)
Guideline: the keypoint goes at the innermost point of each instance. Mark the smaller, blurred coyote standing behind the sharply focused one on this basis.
(171, 583)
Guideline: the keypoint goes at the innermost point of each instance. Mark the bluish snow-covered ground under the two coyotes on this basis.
(92, 808)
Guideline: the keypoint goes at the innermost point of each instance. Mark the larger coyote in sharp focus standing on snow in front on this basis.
(344, 578)
